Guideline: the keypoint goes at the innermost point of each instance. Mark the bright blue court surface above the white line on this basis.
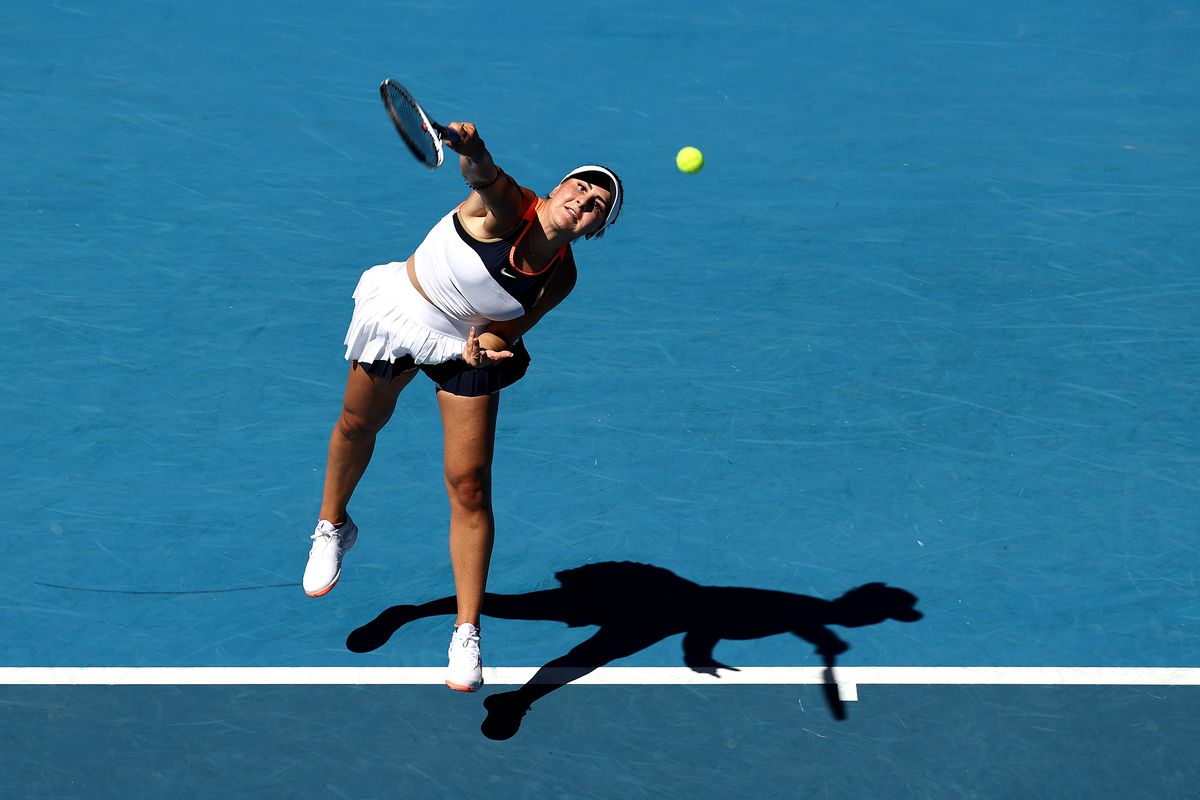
(927, 318)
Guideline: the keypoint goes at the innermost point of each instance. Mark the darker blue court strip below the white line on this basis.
(592, 742)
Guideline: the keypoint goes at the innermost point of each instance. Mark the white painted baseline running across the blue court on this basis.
(849, 678)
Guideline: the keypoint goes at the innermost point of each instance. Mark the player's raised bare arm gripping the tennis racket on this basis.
(496, 202)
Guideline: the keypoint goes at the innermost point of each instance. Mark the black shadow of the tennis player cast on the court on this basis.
(639, 605)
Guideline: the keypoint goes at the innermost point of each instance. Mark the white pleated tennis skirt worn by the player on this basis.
(392, 320)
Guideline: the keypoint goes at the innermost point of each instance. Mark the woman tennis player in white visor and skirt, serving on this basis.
(457, 310)
